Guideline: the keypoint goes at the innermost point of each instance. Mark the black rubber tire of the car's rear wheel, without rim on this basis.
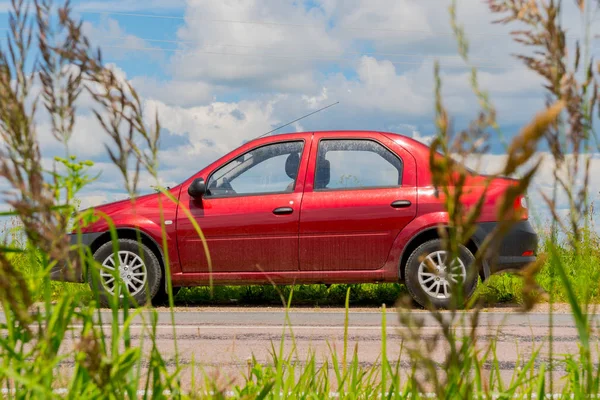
(418, 292)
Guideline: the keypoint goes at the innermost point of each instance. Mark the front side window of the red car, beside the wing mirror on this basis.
(267, 169)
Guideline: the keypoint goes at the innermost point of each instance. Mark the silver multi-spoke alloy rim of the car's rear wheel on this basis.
(437, 283)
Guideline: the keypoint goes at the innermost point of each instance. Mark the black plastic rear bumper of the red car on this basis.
(513, 253)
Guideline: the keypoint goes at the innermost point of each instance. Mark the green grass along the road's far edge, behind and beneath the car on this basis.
(500, 288)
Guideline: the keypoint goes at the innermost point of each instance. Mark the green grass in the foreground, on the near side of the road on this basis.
(110, 363)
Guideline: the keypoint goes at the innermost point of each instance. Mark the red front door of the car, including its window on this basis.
(250, 213)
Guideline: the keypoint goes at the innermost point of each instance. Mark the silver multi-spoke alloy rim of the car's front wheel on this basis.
(130, 269)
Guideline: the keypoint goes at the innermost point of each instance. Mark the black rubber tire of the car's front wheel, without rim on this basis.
(152, 269)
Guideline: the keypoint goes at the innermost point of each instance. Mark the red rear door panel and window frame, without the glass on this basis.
(353, 229)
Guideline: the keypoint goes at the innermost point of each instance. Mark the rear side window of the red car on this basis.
(356, 164)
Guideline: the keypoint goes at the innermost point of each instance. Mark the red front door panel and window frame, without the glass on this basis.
(242, 233)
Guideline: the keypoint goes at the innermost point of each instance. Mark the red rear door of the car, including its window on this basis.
(360, 193)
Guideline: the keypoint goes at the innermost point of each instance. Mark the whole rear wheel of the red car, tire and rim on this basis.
(432, 277)
